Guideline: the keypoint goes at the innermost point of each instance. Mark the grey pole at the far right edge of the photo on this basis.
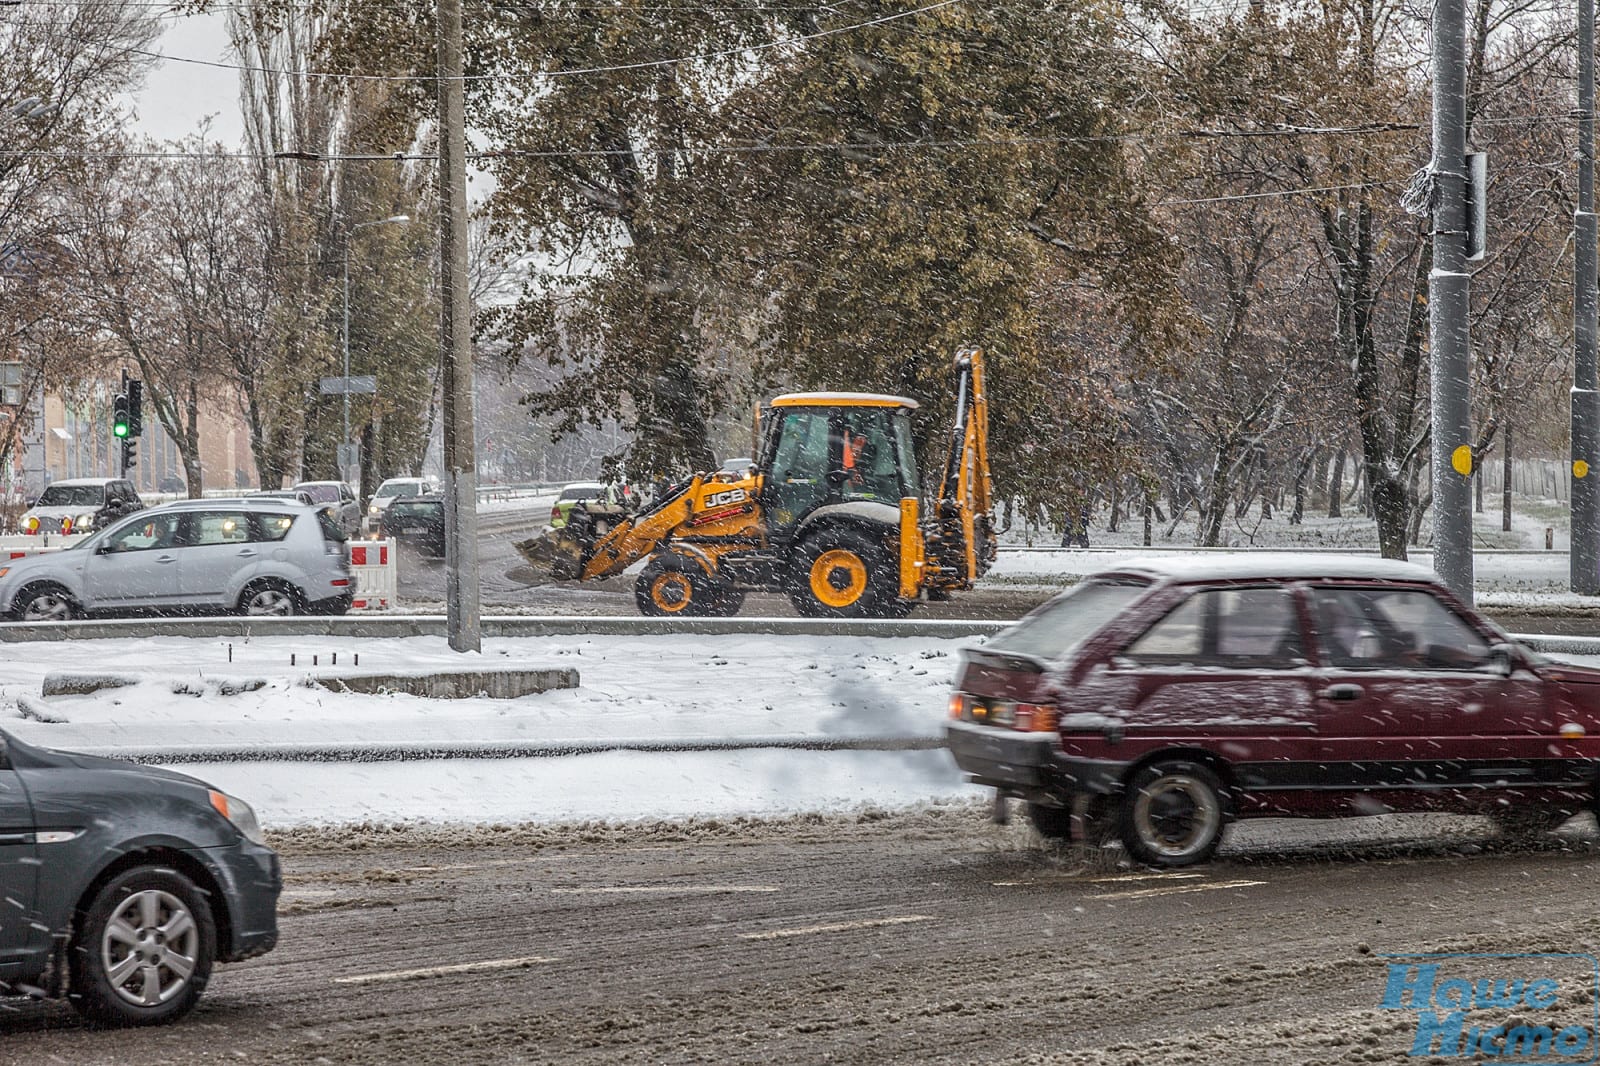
(1585, 558)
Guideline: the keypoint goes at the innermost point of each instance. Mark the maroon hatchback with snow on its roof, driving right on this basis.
(1170, 697)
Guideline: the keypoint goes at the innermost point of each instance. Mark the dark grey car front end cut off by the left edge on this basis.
(126, 884)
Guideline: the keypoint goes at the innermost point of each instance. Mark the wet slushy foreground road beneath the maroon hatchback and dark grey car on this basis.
(911, 939)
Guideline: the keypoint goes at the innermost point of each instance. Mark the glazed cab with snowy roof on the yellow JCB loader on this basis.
(834, 447)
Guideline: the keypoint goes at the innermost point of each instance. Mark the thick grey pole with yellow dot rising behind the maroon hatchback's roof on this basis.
(1450, 305)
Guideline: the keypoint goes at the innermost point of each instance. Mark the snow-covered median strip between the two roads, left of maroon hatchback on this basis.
(657, 727)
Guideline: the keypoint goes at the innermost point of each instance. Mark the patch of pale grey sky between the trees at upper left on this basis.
(178, 97)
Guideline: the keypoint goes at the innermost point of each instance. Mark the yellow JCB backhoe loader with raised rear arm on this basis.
(831, 515)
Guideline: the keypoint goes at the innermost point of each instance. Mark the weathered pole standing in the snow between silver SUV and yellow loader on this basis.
(462, 479)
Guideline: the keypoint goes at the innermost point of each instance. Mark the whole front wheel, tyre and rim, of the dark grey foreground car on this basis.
(143, 950)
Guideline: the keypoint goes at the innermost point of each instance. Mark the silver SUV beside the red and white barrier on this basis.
(194, 556)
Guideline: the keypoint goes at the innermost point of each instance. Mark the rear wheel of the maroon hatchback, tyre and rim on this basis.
(1174, 814)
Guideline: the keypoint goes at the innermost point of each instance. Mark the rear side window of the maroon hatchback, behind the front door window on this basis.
(1231, 628)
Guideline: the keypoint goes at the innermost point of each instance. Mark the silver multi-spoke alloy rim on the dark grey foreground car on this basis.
(150, 948)
